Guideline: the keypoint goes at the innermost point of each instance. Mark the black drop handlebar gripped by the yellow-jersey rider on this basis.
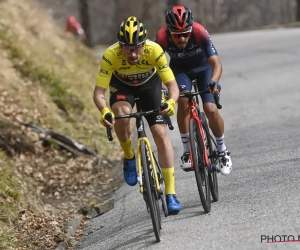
(108, 117)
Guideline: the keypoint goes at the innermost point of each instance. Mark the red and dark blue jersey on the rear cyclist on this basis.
(198, 49)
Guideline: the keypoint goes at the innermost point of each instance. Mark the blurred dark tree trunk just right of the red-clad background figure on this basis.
(85, 20)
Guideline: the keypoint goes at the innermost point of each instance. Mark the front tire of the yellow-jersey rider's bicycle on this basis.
(152, 203)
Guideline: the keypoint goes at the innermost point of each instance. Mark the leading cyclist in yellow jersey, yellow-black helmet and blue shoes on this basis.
(134, 67)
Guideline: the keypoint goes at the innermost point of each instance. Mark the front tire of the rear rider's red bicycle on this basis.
(201, 171)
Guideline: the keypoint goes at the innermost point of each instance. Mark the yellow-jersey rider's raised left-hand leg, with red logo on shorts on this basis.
(122, 102)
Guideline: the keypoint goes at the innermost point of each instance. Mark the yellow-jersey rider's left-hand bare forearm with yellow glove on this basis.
(100, 101)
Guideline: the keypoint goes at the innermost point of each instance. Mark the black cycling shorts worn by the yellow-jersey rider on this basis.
(149, 94)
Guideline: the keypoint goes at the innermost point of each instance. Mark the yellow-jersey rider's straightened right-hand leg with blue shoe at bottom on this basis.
(150, 98)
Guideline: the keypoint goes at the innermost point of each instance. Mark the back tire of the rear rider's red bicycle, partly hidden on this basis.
(212, 177)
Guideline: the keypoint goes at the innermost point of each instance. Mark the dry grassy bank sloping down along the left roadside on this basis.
(47, 78)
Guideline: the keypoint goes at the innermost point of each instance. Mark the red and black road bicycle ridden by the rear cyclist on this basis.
(203, 153)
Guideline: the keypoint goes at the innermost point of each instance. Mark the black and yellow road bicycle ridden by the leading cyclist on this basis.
(149, 172)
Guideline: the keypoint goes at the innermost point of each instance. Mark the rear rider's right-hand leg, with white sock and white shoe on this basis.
(216, 122)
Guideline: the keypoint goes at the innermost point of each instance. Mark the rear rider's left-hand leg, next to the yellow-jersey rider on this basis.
(183, 117)
